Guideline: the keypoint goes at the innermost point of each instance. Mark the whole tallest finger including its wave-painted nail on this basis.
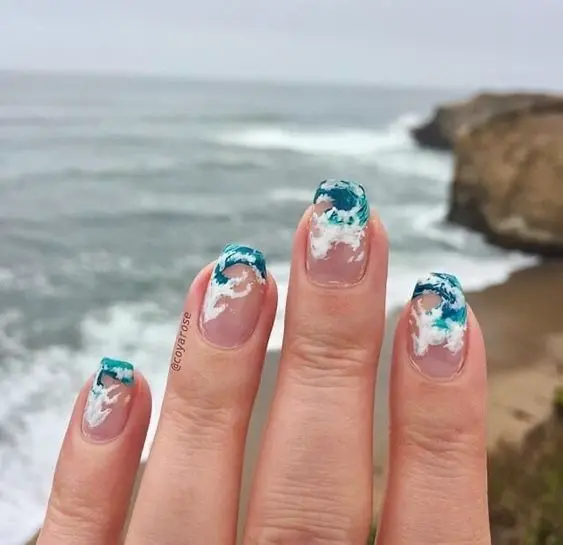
(314, 479)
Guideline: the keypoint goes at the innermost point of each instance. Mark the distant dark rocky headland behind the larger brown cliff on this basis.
(455, 119)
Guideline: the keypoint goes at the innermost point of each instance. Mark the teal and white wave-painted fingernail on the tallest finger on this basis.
(338, 243)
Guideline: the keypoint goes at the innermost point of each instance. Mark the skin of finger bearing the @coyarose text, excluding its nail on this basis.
(191, 485)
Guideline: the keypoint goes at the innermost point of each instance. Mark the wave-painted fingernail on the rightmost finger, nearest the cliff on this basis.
(438, 326)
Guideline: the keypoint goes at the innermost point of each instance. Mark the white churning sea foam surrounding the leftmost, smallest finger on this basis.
(34, 415)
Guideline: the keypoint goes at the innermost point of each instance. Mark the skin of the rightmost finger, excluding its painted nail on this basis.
(437, 481)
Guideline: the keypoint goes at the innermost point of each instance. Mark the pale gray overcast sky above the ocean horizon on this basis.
(431, 42)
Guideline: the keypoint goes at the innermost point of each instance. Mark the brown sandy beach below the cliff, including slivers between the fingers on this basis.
(523, 329)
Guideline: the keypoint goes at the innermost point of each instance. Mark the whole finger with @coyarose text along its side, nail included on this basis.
(190, 488)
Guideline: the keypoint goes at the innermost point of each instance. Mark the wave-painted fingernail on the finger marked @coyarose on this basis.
(234, 295)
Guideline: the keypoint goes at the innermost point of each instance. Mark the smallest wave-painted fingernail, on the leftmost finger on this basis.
(109, 401)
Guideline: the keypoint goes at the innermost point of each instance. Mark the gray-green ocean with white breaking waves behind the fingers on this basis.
(115, 191)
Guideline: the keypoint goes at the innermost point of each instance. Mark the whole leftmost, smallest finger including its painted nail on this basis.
(99, 459)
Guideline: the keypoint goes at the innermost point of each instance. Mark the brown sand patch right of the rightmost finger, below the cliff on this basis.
(523, 329)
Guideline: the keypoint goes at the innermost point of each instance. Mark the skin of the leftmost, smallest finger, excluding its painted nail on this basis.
(93, 482)
